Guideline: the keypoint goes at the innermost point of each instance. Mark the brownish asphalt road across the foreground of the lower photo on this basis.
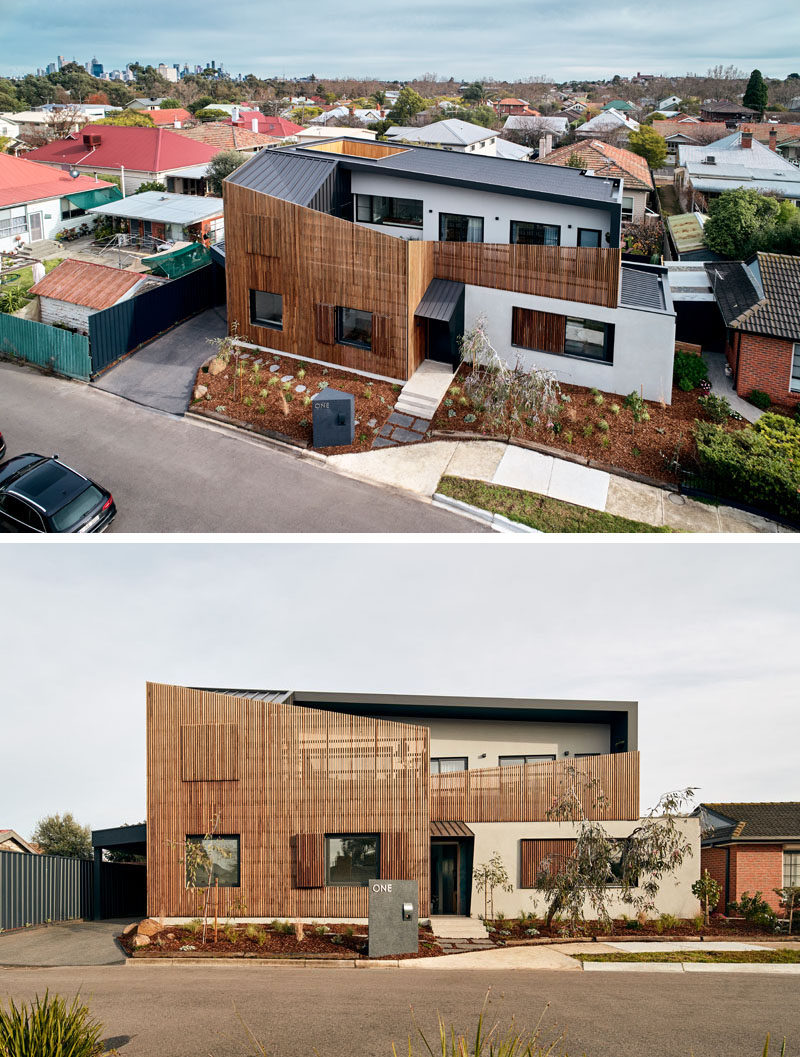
(178, 1012)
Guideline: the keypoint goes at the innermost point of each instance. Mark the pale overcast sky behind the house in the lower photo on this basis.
(703, 635)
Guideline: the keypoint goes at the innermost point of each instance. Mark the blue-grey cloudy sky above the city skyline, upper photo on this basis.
(404, 39)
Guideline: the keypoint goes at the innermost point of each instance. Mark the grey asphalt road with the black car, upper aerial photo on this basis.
(172, 475)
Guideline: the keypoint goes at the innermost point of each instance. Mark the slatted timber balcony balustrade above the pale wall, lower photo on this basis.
(525, 794)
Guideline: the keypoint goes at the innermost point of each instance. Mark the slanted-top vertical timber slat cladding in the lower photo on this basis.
(302, 774)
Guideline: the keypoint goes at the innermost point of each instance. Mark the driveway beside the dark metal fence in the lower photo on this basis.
(71, 943)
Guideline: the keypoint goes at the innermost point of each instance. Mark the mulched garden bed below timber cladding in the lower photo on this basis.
(326, 942)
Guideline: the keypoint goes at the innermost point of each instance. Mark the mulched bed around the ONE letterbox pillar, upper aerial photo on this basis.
(248, 392)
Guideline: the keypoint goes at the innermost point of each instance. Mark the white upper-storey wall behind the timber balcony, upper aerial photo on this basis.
(498, 211)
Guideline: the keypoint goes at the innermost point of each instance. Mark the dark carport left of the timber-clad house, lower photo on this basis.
(121, 892)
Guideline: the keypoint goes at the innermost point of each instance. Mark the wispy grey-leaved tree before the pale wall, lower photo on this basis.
(636, 866)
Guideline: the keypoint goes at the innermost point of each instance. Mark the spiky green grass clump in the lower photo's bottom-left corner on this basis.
(49, 1028)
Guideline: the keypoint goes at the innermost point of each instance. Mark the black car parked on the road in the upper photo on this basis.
(41, 494)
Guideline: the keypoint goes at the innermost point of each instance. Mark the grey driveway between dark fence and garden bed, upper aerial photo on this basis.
(162, 375)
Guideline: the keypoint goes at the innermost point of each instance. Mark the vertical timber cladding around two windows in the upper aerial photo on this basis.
(314, 259)
